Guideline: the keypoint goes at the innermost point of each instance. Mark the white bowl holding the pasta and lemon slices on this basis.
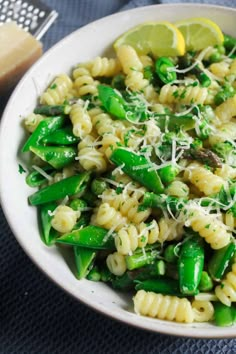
(84, 44)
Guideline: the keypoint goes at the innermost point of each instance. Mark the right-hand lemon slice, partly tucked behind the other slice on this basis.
(200, 33)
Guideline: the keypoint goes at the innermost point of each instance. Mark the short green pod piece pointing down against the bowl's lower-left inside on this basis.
(84, 258)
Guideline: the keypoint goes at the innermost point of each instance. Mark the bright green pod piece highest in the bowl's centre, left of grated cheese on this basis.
(112, 101)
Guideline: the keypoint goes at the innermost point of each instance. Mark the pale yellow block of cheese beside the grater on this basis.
(19, 50)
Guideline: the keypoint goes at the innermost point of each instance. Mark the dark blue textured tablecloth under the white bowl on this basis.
(38, 317)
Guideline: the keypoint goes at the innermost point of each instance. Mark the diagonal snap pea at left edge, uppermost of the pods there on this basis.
(44, 128)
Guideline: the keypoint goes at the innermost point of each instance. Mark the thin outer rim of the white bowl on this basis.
(181, 331)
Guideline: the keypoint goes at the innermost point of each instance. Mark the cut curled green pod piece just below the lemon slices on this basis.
(165, 70)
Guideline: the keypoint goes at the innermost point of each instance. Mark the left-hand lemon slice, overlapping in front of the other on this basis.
(158, 38)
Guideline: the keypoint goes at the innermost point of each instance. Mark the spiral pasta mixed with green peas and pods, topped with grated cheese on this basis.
(136, 162)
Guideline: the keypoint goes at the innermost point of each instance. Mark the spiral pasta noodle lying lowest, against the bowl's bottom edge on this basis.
(164, 307)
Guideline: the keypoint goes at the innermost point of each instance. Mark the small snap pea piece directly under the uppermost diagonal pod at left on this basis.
(63, 136)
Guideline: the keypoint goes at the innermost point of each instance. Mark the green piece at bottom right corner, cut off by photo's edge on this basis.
(224, 315)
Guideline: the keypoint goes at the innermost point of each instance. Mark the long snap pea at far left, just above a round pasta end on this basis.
(59, 190)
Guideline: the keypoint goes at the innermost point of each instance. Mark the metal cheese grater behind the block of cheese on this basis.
(33, 15)
